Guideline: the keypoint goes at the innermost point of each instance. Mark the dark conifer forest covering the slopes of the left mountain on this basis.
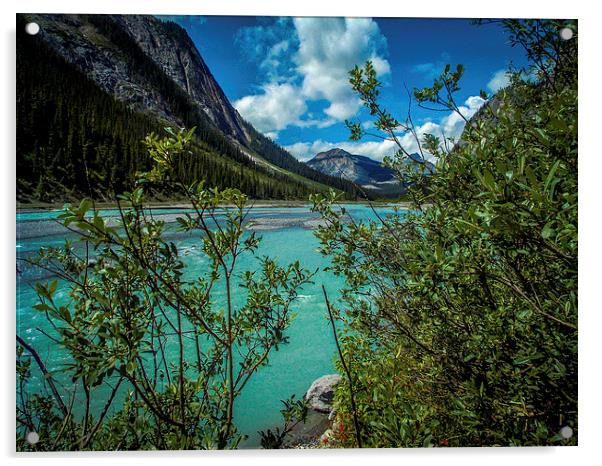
(73, 139)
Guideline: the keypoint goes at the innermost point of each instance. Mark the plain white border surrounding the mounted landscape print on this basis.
(589, 257)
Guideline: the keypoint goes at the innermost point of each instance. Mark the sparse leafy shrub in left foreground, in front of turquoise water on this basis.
(140, 336)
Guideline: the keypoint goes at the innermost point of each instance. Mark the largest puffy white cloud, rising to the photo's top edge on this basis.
(320, 57)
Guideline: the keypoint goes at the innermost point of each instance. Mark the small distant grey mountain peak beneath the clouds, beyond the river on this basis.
(362, 170)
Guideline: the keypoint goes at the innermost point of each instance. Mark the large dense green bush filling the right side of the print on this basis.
(462, 312)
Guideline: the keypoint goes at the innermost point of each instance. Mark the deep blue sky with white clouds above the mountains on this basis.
(288, 76)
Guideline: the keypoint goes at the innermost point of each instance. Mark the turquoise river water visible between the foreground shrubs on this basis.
(287, 237)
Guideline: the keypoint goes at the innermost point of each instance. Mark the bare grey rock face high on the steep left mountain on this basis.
(135, 58)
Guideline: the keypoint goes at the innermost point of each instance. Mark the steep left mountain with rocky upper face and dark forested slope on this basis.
(90, 87)
